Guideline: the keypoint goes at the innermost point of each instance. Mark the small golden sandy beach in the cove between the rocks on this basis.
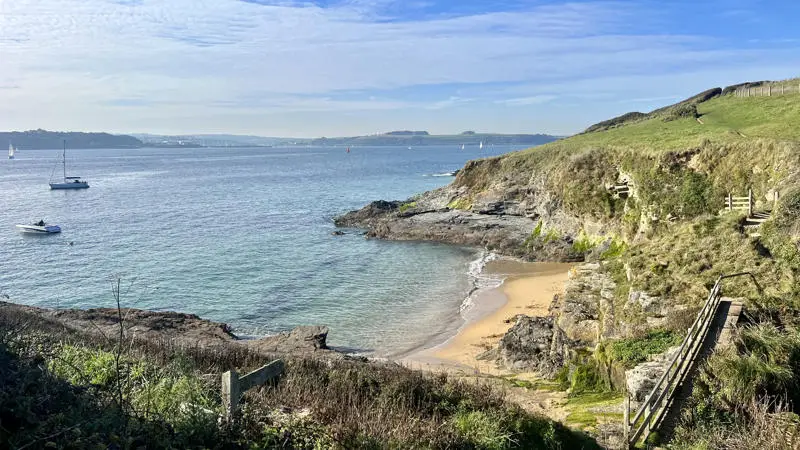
(528, 289)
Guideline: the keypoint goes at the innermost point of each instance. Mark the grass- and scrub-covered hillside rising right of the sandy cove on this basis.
(671, 239)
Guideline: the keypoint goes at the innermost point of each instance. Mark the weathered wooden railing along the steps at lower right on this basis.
(652, 410)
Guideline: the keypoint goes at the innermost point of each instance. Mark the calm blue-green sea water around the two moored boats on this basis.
(239, 235)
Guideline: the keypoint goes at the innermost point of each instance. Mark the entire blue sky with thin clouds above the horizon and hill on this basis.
(354, 67)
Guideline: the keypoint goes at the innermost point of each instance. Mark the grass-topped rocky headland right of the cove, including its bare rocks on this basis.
(643, 198)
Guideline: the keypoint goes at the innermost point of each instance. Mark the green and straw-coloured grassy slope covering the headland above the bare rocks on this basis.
(742, 143)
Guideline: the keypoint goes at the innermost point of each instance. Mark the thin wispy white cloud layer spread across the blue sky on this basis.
(212, 61)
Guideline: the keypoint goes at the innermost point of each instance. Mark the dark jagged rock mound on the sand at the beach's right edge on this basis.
(532, 344)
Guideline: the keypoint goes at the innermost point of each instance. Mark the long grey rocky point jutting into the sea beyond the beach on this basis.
(501, 217)
